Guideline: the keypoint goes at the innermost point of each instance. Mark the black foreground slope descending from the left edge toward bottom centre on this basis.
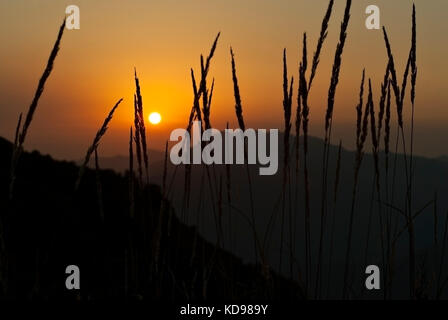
(47, 226)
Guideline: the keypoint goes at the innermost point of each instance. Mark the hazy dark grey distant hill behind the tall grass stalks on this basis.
(430, 177)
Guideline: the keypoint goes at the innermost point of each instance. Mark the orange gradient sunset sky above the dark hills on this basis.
(164, 38)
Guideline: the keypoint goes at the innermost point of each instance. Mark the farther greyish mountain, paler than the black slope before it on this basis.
(430, 178)
